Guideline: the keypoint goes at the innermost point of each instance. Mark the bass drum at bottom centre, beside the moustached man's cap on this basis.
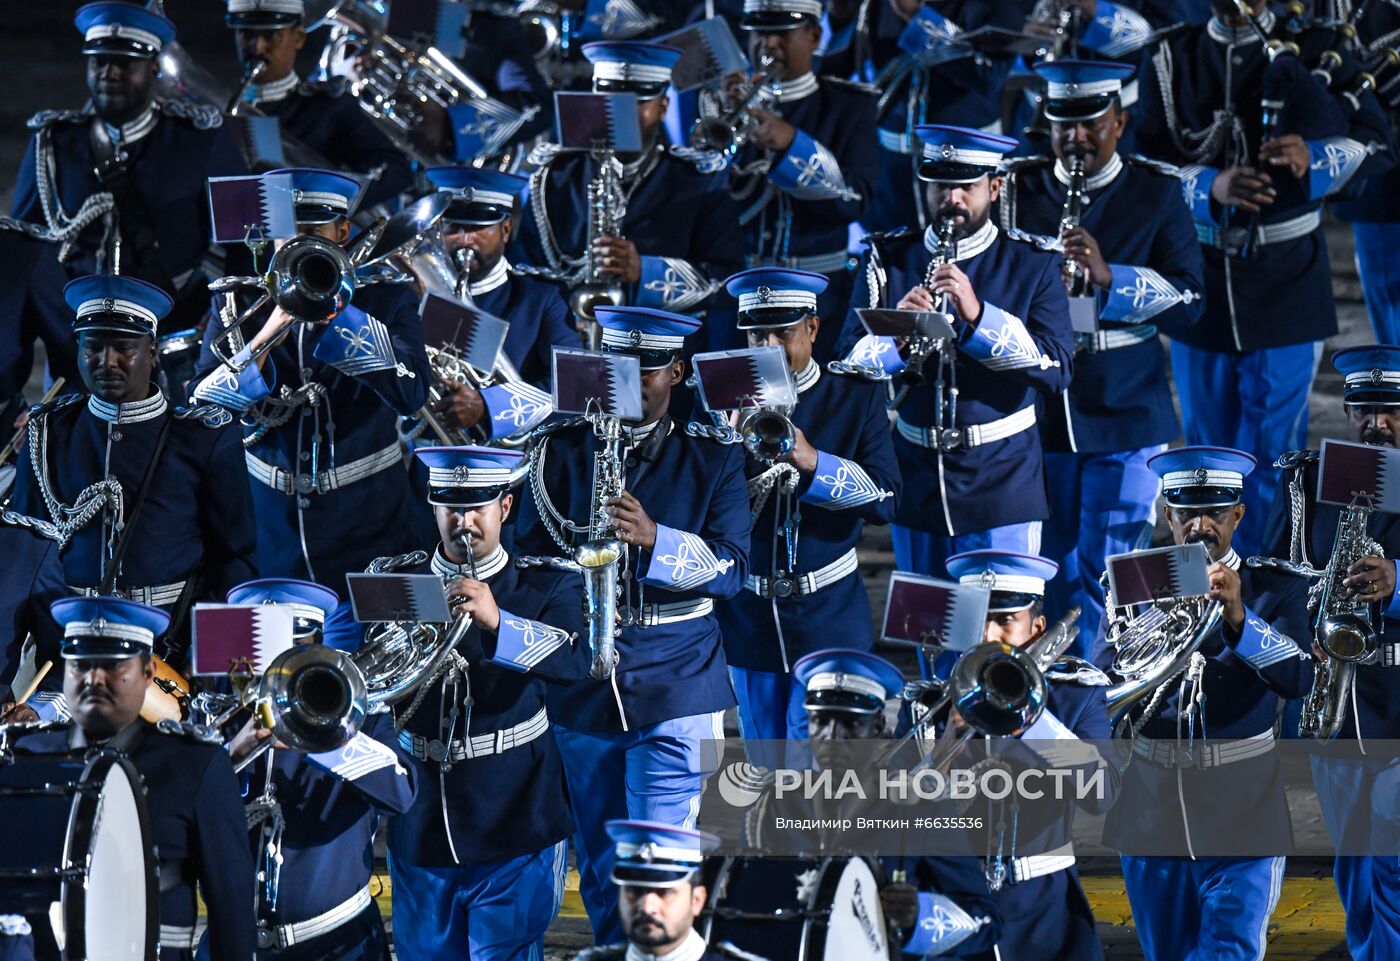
(799, 908)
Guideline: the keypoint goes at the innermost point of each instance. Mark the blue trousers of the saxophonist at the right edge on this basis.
(1361, 806)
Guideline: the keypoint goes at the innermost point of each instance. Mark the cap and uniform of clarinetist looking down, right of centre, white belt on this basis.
(989, 491)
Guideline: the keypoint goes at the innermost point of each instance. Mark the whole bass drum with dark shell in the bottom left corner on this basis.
(83, 865)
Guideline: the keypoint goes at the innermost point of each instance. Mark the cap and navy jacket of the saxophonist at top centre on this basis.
(682, 221)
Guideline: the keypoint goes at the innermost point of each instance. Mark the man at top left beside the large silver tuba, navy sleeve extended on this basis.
(321, 116)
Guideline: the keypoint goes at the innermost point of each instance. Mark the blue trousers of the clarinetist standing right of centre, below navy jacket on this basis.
(1100, 505)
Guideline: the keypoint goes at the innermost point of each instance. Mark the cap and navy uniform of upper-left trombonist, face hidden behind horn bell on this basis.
(321, 425)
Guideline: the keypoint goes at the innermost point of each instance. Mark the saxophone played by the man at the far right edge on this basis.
(1343, 627)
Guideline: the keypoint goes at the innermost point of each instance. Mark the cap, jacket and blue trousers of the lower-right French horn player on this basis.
(1210, 906)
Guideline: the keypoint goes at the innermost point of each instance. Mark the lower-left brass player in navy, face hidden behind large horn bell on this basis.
(311, 817)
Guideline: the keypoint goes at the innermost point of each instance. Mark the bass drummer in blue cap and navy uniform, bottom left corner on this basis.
(191, 789)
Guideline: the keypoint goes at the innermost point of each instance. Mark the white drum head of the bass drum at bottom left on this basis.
(114, 915)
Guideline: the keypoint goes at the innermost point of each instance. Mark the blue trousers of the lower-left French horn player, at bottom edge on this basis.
(498, 911)
